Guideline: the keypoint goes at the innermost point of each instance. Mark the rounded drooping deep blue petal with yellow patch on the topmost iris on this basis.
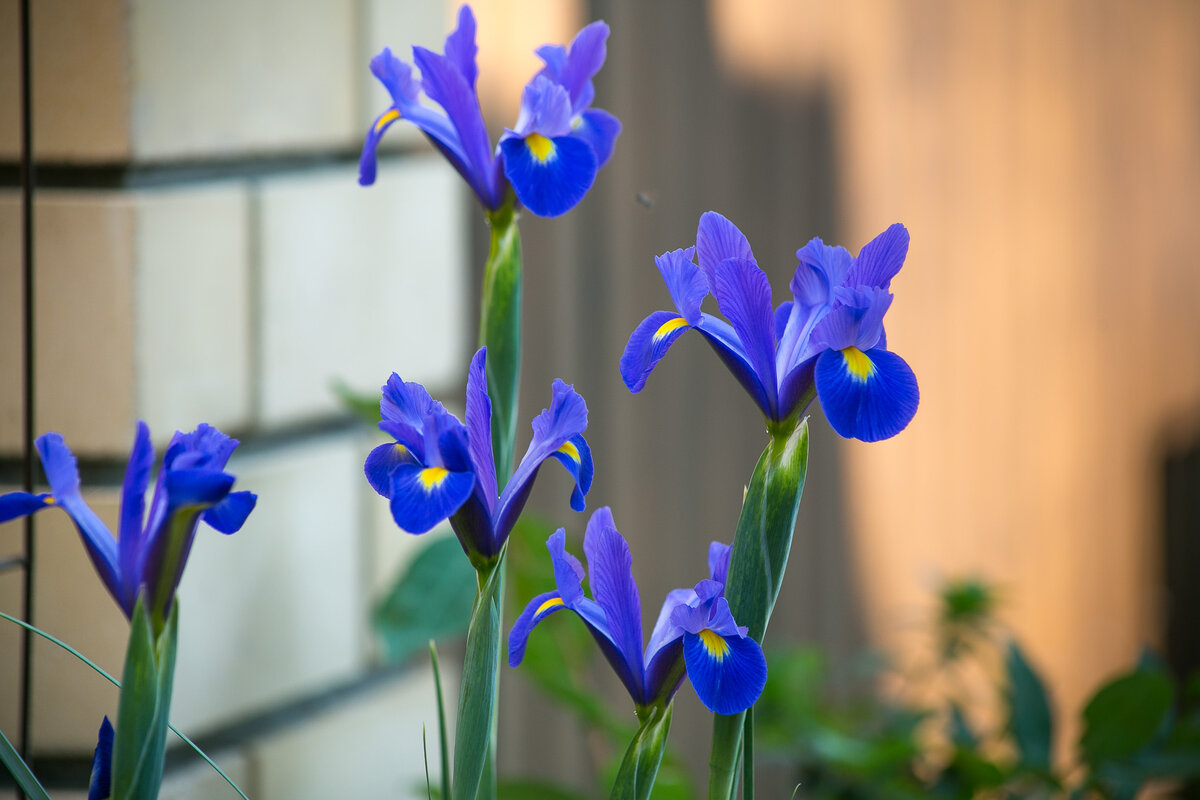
(550, 184)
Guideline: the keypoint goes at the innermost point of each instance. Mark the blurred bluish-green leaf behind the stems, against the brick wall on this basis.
(431, 600)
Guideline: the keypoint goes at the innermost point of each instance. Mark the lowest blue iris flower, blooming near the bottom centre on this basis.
(695, 635)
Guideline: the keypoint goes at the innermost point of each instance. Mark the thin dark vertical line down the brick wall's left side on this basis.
(27, 257)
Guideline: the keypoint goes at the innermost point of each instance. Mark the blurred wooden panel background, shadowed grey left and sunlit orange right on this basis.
(1046, 158)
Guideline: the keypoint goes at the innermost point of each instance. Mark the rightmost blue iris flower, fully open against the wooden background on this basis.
(829, 340)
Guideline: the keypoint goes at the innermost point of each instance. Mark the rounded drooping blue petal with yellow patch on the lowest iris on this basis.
(728, 672)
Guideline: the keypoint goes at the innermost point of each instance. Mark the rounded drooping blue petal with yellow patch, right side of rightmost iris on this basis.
(868, 396)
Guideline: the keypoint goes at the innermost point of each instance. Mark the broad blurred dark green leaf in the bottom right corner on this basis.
(1125, 717)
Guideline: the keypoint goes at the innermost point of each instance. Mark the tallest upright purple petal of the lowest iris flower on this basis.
(615, 591)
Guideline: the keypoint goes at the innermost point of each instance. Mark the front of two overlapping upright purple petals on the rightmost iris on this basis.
(743, 294)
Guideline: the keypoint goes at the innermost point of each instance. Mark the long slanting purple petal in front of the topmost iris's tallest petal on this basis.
(447, 86)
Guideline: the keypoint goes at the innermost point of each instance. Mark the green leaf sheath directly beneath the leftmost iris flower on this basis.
(142, 711)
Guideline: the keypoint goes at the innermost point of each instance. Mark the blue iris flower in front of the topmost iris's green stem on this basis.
(439, 468)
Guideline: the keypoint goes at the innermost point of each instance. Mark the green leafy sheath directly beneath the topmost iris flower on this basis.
(500, 330)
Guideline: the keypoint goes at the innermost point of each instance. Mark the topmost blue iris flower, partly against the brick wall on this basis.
(550, 160)
